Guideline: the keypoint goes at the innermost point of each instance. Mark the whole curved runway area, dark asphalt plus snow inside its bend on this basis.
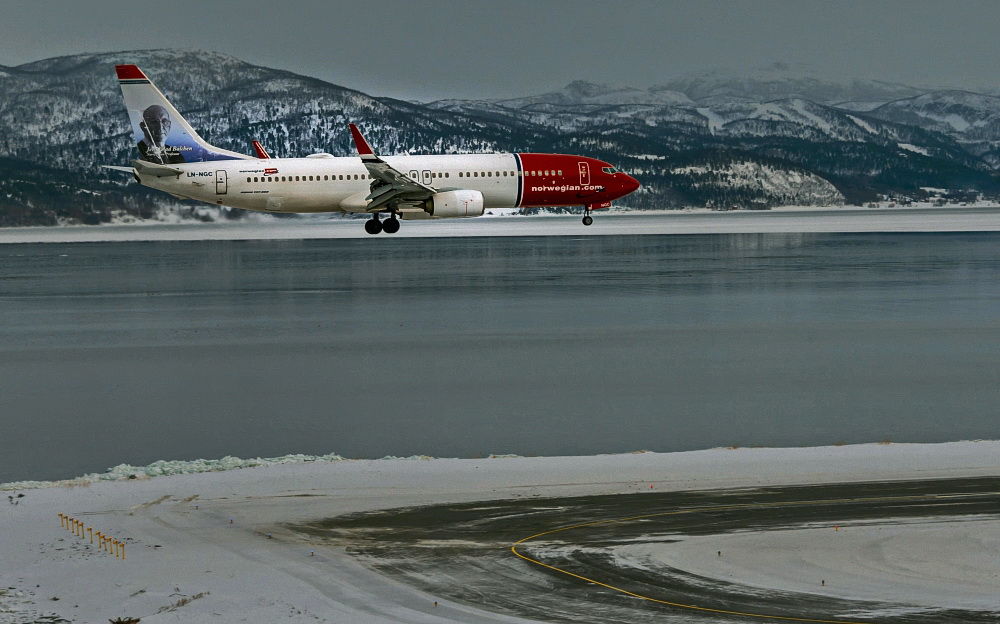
(624, 557)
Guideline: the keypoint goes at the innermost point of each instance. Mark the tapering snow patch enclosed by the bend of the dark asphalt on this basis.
(930, 562)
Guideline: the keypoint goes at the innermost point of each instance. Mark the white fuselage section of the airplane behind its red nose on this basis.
(324, 183)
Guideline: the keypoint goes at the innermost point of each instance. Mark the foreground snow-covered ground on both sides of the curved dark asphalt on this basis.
(211, 546)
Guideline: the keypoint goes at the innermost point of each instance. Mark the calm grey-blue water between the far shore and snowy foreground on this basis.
(133, 352)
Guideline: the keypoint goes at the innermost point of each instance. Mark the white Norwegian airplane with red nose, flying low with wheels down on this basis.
(175, 159)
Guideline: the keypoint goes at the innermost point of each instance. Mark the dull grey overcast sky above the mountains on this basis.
(505, 48)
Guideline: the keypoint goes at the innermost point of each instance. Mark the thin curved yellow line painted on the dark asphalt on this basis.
(698, 510)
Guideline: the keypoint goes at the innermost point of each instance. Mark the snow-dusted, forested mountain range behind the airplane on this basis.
(61, 118)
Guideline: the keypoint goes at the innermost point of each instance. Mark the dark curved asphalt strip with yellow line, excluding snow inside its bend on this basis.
(551, 559)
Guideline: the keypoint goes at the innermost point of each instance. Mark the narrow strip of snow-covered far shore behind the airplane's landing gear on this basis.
(975, 218)
